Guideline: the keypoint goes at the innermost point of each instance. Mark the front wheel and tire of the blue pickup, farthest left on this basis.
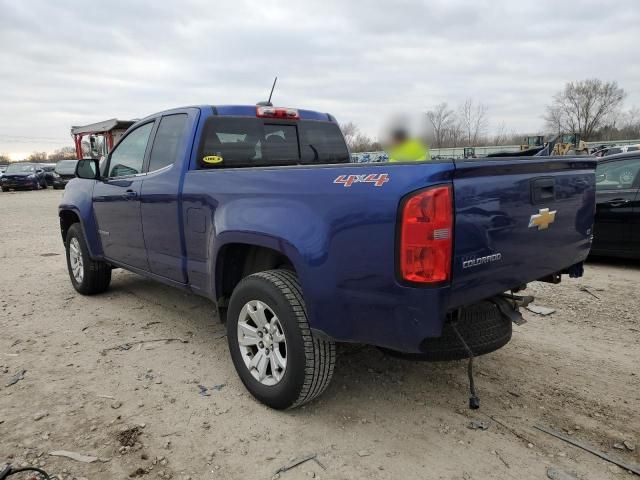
(96, 276)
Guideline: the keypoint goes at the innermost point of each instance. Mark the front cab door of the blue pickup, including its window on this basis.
(116, 200)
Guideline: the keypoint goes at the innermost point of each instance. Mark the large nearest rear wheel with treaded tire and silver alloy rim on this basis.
(309, 360)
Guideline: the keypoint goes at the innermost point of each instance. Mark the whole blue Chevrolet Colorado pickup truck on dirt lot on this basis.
(260, 209)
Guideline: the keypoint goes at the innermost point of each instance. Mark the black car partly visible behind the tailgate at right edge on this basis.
(617, 223)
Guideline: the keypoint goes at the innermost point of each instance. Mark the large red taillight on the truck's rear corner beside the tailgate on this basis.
(426, 236)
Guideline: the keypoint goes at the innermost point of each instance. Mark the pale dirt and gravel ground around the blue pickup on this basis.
(87, 379)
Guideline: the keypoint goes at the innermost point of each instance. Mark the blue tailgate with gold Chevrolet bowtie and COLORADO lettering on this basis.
(518, 221)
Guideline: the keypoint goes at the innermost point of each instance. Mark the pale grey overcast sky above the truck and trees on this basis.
(66, 63)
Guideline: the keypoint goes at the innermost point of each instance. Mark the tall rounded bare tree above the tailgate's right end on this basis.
(584, 107)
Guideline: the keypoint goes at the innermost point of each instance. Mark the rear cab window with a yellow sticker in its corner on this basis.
(232, 142)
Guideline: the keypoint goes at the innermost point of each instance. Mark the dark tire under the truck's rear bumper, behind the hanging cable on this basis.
(483, 328)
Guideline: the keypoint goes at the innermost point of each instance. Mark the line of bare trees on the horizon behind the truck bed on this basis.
(593, 108)
